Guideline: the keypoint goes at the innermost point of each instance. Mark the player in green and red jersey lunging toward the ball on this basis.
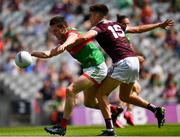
(94, 69)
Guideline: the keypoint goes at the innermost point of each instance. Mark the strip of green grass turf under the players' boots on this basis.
(141, 130)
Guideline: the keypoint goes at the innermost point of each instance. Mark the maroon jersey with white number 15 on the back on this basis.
(111, 37)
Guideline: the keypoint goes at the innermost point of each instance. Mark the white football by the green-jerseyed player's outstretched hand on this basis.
(23, 59)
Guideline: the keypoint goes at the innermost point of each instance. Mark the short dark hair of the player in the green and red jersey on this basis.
(58, 20)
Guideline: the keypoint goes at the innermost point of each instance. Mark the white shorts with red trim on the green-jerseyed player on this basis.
(96, 73)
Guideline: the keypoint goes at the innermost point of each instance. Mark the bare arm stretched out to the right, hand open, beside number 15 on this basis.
(148, 27)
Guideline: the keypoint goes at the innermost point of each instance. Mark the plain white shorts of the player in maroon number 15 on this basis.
(125, 70)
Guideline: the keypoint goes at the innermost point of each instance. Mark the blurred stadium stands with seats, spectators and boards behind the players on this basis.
(35, 96)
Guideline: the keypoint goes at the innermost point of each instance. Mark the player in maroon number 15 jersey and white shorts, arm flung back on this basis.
(125, 69)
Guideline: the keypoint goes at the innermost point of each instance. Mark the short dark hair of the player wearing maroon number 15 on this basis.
(100, 8)
